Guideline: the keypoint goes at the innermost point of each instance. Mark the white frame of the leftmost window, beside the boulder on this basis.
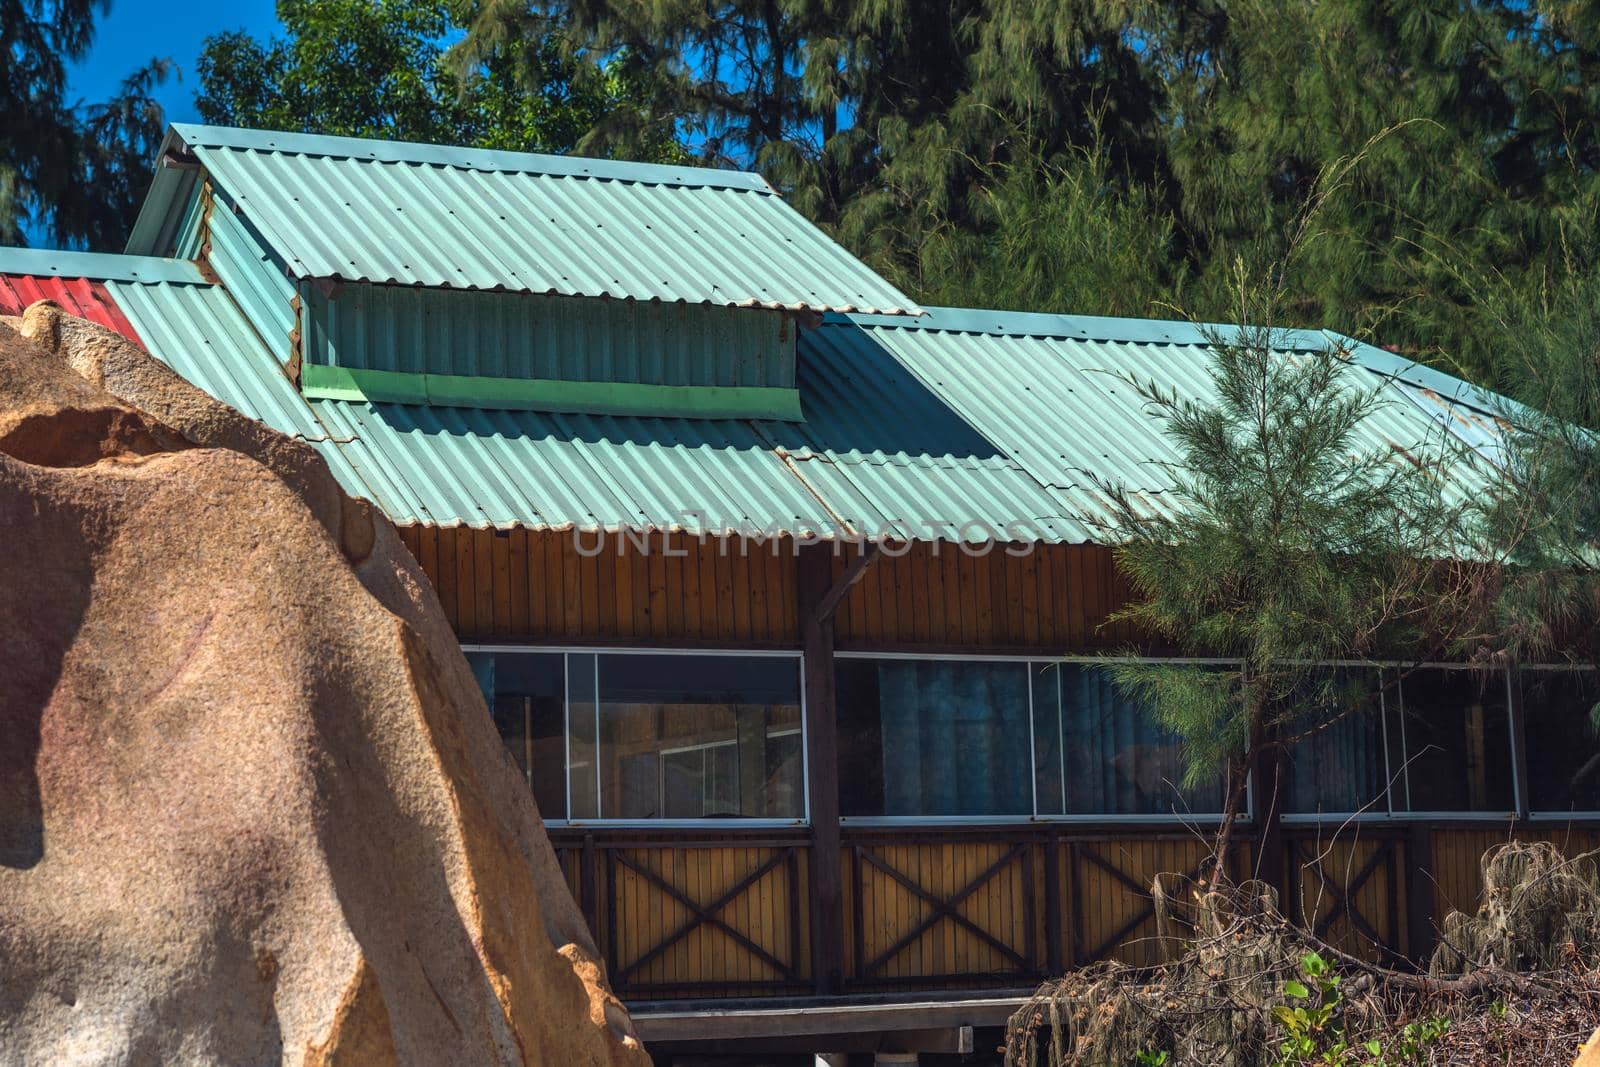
(657, 650)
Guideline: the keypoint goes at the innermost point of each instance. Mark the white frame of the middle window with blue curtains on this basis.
(1036, 818)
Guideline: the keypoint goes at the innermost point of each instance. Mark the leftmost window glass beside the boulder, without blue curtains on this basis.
(652, 737)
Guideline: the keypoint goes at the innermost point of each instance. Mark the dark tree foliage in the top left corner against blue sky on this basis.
(73, 170)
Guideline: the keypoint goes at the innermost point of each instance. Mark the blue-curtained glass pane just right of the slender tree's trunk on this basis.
(1342, 769)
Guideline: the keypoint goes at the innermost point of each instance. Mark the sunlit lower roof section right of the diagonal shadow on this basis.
(1052, 394)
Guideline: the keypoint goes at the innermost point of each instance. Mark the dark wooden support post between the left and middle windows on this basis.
(815, 581)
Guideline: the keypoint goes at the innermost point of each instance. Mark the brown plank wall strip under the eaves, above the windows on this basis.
(540, 586)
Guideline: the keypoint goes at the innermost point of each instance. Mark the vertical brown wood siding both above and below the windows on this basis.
(729, 914)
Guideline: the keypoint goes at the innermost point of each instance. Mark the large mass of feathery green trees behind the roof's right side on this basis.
(946, 143)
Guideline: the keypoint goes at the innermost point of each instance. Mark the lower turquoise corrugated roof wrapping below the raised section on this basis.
(961, 426)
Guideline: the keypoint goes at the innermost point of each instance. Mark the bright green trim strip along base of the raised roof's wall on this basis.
(542, 394)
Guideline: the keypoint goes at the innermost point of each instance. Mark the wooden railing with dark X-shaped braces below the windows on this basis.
(729, 914)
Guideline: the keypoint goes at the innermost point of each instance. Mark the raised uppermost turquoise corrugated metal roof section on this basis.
(465, 218)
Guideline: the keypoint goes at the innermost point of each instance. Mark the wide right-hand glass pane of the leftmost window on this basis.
(700, 737)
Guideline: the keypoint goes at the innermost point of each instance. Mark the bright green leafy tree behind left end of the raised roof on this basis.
(378, 70)
